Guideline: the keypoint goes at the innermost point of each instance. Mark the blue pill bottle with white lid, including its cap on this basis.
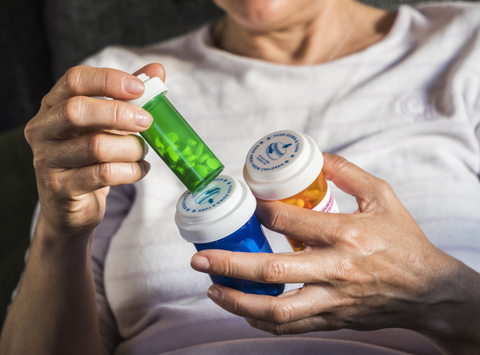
(221, 216)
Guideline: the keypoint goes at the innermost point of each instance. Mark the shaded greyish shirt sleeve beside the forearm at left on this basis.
(119, 201)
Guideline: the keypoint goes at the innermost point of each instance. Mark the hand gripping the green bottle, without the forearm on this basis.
(82, 145)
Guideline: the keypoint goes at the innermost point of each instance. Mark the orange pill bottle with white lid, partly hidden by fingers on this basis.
(287, 166)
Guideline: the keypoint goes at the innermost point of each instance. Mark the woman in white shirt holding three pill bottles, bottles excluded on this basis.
(398, 94)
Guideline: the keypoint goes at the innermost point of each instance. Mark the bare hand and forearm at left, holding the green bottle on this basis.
(71, 138)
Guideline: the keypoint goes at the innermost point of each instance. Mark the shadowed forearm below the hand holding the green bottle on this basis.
(54, 311)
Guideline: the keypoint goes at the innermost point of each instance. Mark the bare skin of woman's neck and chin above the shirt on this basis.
(302, 32)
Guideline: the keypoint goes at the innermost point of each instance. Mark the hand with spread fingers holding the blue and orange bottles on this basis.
(368, 270)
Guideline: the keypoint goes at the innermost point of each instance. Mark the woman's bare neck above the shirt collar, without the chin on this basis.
(335, 30)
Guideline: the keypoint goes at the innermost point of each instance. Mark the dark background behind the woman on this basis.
(39, 41)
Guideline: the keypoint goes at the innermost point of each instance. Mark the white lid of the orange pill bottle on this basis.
(282, 164)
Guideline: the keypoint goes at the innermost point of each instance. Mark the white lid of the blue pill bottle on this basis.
(215, 212)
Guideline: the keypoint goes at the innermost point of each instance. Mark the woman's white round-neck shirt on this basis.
(406, 109)
